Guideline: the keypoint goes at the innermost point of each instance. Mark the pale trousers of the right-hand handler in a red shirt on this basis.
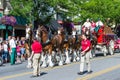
(85, 58)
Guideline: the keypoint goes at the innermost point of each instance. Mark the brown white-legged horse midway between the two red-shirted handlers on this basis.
(60, 45)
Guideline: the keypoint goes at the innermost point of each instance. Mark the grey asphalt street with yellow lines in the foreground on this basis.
(104, 68)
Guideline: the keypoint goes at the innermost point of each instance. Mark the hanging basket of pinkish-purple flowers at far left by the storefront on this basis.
(8, 20)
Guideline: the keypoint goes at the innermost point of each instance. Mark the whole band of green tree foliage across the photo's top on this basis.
(77, 10)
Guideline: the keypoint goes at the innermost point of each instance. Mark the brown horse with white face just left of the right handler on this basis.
(74, 41)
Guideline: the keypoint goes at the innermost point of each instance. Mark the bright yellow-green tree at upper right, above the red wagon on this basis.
(101, 9)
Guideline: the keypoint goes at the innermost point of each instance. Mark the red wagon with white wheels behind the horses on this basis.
(105, 41)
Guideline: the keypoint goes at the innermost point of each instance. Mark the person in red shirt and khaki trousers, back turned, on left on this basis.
(35, 56)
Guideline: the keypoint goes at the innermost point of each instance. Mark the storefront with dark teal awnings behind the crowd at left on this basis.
(17, 30)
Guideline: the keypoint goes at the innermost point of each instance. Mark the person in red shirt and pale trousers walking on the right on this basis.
(85, 54)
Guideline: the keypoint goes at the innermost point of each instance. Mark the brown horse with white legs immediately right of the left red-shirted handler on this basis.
(42, 34)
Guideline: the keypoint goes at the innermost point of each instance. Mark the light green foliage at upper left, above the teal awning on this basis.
(21, 7)
